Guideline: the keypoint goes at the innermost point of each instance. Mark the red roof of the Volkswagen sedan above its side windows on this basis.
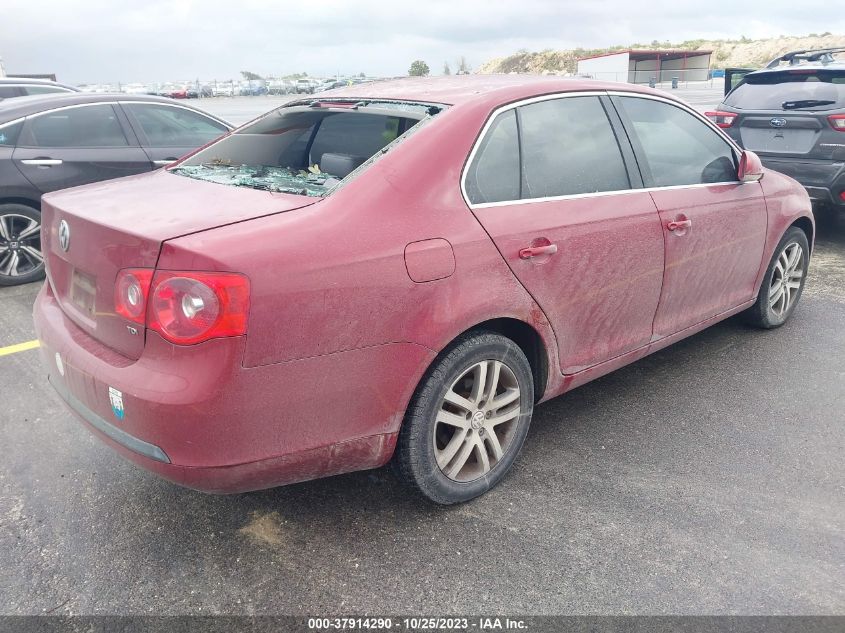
(458, 89)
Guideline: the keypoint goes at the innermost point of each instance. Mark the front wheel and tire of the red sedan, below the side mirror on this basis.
(783, 282)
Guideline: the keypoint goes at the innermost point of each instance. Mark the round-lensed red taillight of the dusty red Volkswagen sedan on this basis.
(185, 307)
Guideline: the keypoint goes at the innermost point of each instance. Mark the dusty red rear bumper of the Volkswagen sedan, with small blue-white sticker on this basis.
(196, 417)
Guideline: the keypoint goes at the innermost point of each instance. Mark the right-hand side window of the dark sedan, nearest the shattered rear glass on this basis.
(169, 126)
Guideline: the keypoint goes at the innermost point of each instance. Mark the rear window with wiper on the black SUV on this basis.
(821, 89)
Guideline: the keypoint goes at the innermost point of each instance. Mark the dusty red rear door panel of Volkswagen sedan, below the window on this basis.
(599, 291)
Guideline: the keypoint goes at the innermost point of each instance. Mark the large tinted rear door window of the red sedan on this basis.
(568, 147)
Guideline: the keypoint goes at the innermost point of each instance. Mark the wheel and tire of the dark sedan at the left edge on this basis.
(21, 259)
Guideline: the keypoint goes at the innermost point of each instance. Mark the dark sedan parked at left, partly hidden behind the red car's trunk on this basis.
(56, 141)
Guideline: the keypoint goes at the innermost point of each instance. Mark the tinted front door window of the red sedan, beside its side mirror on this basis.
(678, 148)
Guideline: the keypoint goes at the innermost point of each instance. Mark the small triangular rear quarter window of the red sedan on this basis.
(493, 175)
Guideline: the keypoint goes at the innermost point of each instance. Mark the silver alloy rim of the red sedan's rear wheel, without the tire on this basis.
(477, 421)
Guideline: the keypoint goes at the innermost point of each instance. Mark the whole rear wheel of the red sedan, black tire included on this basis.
(468, 419)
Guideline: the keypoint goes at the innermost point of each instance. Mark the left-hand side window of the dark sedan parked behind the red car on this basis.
(85, 126)
